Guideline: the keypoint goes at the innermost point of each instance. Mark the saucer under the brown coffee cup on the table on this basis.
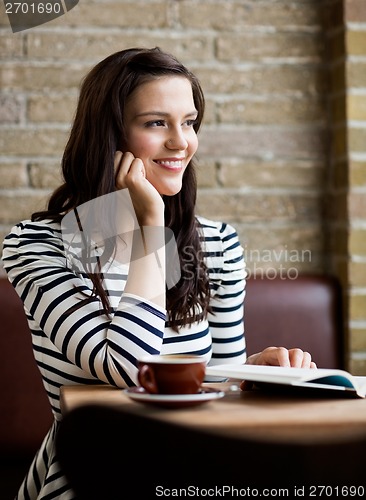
(173, 400)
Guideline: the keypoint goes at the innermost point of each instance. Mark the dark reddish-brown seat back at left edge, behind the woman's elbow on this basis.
(25, 413)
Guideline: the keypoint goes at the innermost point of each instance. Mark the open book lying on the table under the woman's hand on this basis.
(328, 381)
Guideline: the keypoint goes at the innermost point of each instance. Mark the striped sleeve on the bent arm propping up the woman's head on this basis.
(106, 348)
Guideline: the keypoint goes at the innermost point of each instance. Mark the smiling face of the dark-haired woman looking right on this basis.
(159, 119)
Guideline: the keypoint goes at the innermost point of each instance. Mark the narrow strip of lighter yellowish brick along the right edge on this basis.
(355, 78)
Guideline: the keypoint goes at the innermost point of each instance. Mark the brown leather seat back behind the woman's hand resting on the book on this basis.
(305, 312)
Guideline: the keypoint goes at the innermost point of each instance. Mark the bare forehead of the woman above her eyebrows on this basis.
(162, 92)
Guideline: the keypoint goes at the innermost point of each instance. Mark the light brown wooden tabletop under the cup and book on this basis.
(251, 414)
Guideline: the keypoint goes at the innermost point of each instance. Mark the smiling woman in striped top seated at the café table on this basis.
(97, 300)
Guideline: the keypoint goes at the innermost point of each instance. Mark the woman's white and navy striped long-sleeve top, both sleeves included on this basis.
(76, 344)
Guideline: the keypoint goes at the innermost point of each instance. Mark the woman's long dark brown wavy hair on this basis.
(88, 172)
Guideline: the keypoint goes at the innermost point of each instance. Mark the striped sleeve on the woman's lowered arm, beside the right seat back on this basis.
(228, 279)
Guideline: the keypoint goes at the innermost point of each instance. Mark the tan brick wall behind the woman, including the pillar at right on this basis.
(270, 155)
